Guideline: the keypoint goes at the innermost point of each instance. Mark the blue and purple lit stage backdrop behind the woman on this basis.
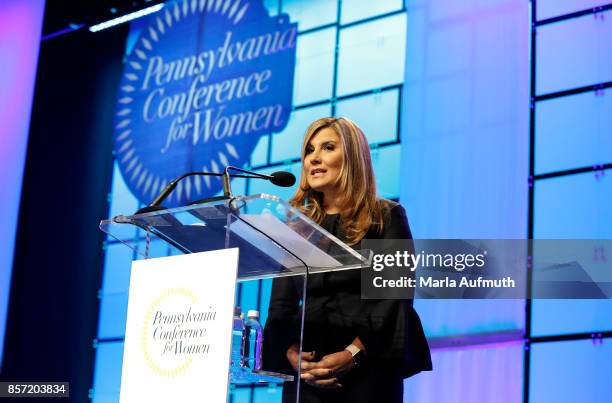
(442, 90)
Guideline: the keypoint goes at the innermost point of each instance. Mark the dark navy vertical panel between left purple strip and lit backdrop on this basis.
(53, 312)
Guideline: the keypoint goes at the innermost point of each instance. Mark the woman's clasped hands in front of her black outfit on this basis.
(327, 372)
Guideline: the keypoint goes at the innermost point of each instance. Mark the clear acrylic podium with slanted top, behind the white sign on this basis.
(274, 240)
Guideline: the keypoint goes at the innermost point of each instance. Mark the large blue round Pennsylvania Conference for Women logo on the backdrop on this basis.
(205, 80)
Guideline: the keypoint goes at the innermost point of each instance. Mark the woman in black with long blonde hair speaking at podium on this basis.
(354, 349)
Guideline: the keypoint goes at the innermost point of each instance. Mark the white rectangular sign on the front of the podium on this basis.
(179, 326)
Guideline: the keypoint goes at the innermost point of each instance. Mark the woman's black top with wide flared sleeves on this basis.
(335, 312)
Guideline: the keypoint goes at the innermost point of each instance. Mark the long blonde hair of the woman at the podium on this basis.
(359, 206)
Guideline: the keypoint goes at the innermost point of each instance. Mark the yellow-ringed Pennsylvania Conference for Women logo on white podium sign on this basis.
(175, 332)
